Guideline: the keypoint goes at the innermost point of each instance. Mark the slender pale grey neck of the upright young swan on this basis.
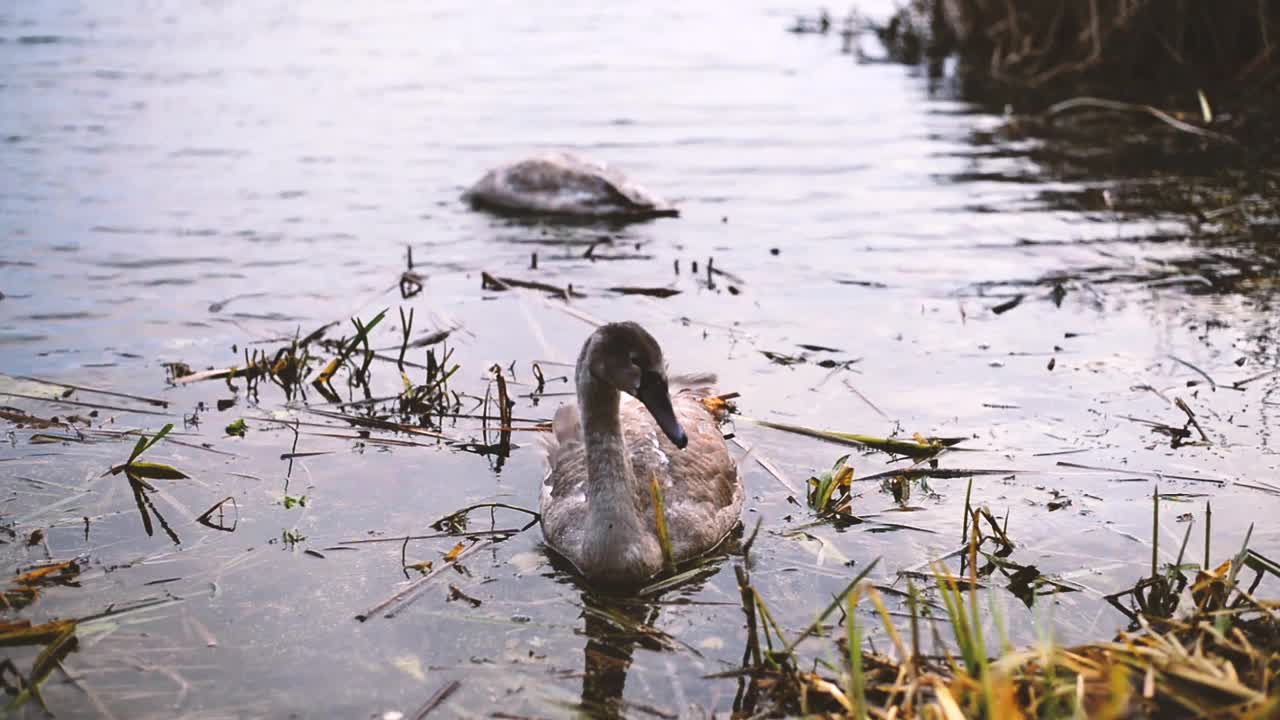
(616, 531)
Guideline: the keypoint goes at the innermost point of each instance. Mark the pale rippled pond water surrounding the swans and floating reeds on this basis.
(189, 183)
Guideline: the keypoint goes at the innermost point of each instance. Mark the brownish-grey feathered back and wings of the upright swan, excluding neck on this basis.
(701, 485)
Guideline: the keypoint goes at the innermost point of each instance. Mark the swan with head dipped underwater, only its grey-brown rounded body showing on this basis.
(561, 184)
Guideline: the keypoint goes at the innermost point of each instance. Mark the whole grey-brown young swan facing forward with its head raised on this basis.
(597, 503)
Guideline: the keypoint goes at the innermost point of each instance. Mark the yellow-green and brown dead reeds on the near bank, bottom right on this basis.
(1215, 657)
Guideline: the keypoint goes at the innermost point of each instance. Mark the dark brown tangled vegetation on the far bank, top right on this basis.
(1178, 103)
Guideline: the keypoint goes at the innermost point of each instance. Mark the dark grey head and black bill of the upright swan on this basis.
(628, 358)
